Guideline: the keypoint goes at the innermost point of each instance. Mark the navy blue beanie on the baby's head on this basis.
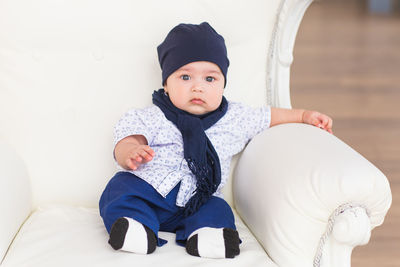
(188, 43)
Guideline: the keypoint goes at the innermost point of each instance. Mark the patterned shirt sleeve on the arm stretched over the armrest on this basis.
(251, 121)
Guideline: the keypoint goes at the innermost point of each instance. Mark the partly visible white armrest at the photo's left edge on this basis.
(15, 196)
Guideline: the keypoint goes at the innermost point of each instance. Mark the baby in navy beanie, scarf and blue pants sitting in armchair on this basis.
(175, 155)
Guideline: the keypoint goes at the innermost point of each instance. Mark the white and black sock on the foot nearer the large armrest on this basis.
(214, 243)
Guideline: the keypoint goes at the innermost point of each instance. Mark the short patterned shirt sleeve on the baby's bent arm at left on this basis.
(137, 122)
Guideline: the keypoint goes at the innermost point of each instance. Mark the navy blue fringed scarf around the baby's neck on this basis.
(199, 152)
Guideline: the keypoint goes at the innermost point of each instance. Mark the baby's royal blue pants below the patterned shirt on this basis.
(126, 195)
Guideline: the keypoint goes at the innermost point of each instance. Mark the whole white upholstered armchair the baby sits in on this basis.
(69, 69)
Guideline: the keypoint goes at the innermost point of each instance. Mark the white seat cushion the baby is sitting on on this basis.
(75, 236)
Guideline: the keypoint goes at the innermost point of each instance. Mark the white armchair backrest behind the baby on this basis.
(70, 69)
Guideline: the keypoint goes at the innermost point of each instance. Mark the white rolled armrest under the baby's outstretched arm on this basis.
(290, 180)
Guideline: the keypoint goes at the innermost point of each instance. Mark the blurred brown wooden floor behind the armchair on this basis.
(347, 64)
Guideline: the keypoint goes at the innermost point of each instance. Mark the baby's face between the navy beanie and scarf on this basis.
(196, 87)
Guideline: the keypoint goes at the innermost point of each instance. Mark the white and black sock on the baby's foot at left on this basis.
(129, 235)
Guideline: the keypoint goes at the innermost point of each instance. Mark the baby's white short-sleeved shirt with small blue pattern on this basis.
(169, 167)
